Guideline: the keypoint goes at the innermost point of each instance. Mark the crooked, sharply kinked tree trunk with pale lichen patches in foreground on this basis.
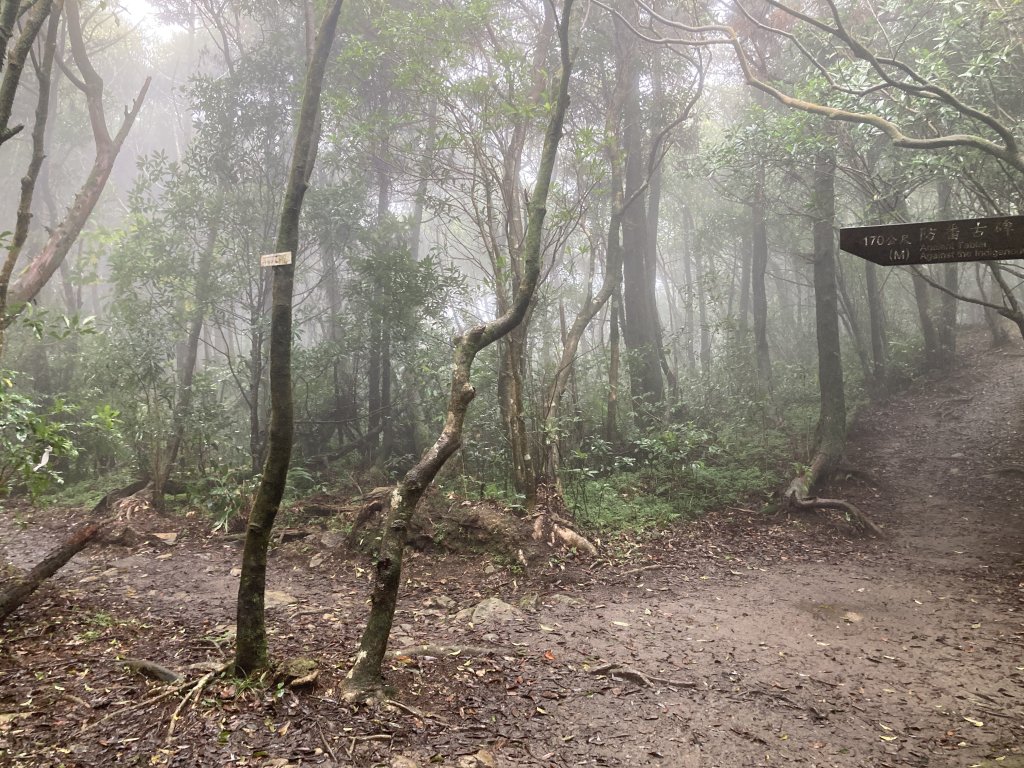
(364, 679)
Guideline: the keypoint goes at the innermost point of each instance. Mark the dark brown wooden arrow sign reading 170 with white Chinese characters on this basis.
(936, 242)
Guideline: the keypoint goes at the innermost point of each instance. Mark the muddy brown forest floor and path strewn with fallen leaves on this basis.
(744, 641)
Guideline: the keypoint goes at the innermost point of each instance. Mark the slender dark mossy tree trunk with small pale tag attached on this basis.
(251, 653)
